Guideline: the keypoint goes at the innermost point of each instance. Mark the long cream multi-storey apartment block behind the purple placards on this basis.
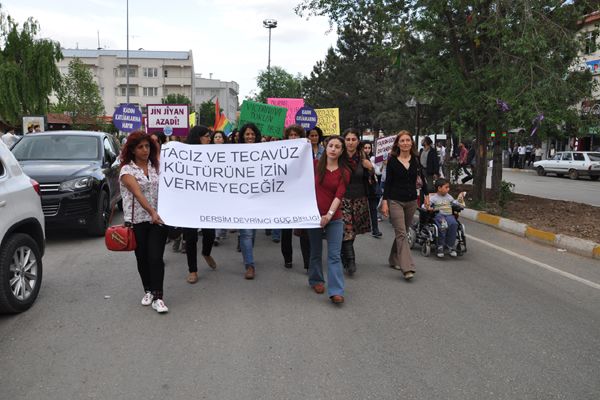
(152, 74)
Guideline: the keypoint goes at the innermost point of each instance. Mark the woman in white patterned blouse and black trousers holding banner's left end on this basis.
(139, 187)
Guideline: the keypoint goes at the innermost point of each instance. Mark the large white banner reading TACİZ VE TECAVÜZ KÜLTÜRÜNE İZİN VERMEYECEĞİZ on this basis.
(263, 185)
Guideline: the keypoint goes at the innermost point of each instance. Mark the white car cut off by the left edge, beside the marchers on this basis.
(21, 236)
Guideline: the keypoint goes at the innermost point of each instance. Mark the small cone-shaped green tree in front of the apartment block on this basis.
(78, 94)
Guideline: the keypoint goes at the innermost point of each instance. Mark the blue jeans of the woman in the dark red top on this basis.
(334, 232)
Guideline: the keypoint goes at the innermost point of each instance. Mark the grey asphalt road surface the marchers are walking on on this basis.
(487, 326)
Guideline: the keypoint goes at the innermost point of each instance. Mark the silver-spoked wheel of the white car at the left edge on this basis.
(20, 273)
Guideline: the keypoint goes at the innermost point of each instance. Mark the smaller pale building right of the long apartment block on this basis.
(213, 89)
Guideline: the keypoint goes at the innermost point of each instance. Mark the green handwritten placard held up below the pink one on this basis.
(269, 119)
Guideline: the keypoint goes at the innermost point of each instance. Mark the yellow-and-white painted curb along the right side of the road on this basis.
(583, 247)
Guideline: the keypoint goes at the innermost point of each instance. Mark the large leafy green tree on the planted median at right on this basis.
(467, 55)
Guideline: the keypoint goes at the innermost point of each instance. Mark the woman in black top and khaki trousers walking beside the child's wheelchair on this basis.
(400, 199)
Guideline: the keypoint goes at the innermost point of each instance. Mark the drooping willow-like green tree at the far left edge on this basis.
(28, 71)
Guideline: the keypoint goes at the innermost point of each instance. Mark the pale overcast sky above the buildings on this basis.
(226, 37)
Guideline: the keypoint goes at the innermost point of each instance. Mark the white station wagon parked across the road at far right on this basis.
(571, 163)
